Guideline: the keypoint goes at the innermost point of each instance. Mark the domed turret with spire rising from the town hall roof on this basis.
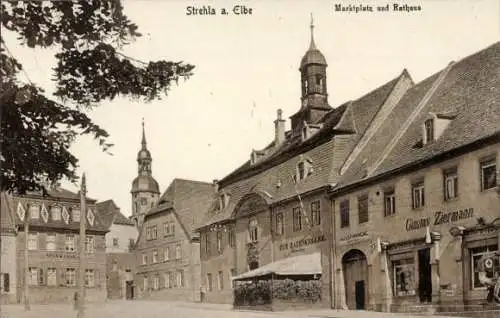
(314, 96)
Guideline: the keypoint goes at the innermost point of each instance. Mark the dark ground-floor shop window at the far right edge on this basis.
(478, 255)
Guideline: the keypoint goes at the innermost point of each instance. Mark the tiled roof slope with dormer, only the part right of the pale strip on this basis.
(471, 89)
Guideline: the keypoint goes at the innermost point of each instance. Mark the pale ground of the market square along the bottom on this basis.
(164, 309)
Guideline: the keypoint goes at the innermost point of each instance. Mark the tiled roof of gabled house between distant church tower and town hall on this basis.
(188, 199)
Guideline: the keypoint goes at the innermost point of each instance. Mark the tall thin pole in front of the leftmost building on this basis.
(81, 251)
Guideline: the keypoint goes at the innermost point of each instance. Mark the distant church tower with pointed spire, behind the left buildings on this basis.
(145, 190)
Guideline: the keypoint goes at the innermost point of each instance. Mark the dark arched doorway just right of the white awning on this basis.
(355, 267)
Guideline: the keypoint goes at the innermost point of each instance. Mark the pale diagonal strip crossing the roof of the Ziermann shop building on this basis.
(411, 117)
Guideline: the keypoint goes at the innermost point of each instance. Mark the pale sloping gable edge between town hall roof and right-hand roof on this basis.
(374, 125)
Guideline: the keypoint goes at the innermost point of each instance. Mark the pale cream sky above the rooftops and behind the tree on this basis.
(247, 68)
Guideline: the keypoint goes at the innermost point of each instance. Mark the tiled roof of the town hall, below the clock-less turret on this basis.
(264, 176)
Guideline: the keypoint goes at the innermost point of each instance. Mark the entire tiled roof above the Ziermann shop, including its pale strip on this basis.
(465, 93)
